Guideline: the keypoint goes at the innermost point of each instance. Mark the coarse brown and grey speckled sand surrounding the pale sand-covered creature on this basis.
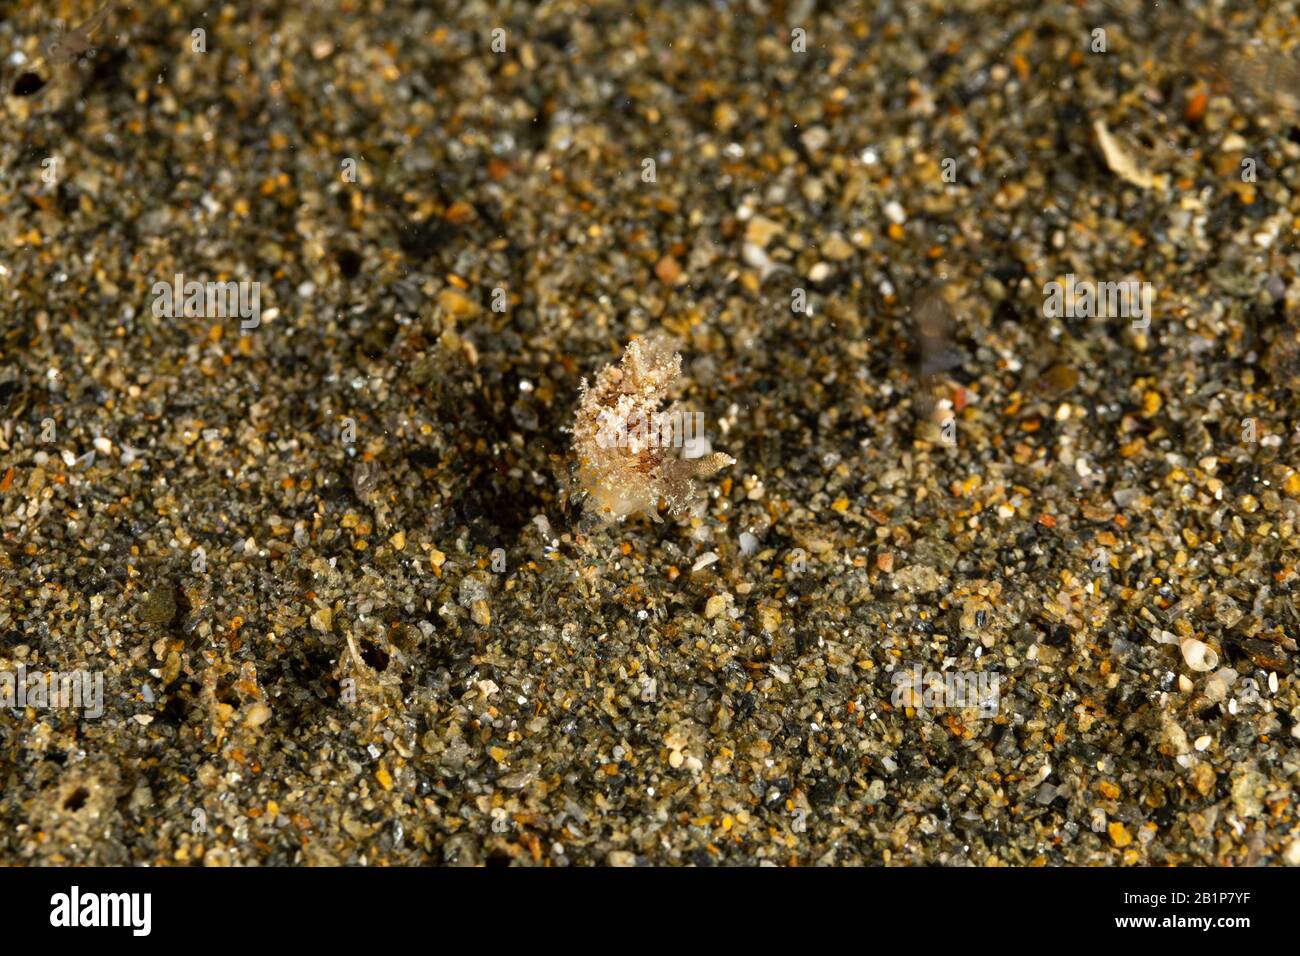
(332, 569)
